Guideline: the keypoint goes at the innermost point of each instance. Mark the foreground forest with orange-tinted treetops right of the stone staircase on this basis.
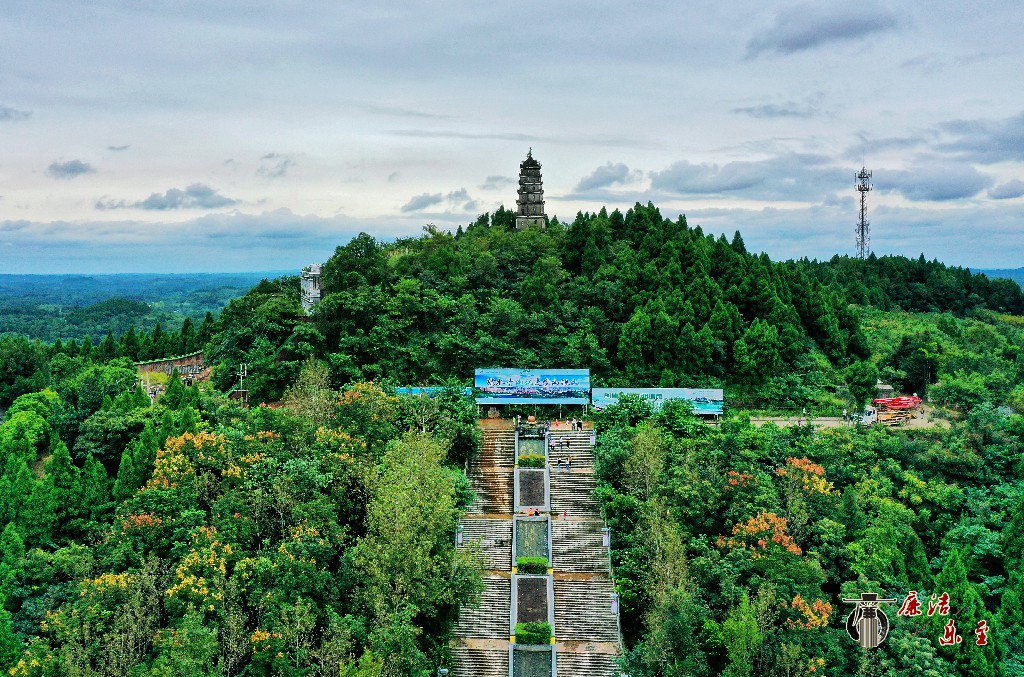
(737, 545)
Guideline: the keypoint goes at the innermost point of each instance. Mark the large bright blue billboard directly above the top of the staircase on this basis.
(533, 387)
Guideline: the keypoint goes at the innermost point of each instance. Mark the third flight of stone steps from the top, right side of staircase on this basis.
(583, 612)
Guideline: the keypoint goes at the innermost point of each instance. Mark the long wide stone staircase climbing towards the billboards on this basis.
(586, 637)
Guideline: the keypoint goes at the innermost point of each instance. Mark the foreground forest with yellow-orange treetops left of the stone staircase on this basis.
(196, 538)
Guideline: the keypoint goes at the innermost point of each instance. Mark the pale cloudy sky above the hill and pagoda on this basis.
(215, 136)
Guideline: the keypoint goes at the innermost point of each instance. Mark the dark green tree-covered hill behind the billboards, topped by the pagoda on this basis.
(638, 299)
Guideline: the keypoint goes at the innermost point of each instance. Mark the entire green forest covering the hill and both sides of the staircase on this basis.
(315, 536)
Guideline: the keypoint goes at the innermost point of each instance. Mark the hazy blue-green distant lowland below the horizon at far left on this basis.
(66, 307)
